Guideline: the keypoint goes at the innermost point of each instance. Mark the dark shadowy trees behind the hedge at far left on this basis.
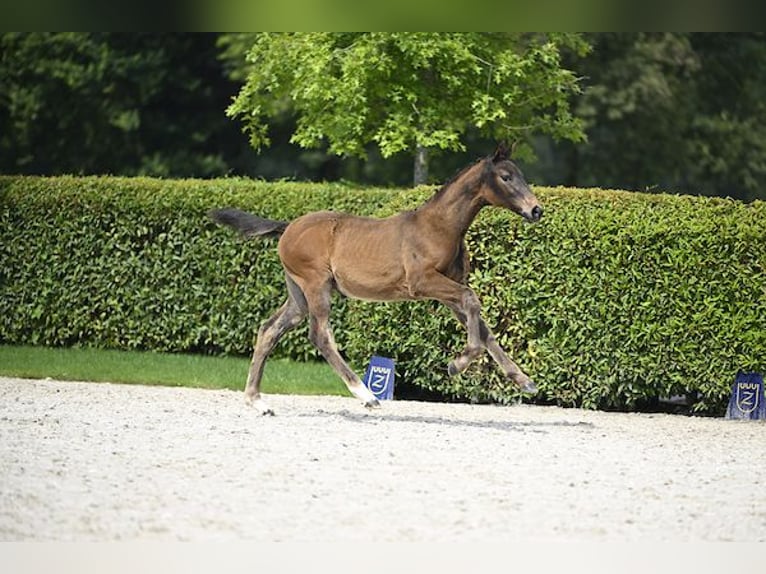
(124, 104)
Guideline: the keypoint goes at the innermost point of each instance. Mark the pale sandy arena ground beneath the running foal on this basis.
(105, 462)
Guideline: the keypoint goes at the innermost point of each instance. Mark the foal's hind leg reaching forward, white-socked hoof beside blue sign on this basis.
(322, 338)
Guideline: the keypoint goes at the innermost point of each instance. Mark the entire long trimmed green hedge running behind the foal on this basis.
(612, 300)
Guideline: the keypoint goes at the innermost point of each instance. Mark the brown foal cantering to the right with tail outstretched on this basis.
(413, 255)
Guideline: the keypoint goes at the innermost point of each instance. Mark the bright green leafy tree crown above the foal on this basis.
(413, 92)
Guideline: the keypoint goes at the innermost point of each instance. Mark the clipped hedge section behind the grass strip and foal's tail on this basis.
(137, 264)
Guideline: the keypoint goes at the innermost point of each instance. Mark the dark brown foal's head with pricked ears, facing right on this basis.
(504, 185)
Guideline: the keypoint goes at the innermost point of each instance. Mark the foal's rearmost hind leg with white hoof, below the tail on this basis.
(288, 317)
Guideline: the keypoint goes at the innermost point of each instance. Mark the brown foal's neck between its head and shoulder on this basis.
(453, 209)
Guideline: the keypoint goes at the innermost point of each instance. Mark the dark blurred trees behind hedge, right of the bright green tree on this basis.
(672, 112)
